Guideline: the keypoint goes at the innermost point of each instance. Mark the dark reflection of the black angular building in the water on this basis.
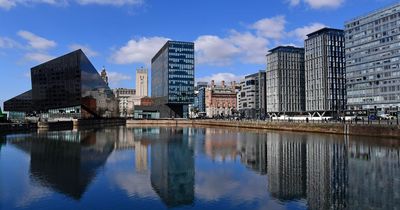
(66, 166)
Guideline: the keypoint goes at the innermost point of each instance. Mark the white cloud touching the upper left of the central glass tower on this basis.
(138, 51)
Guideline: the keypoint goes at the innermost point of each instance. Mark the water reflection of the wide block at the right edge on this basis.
(374, 181)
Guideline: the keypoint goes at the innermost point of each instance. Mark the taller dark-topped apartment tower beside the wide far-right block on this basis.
(325, 79)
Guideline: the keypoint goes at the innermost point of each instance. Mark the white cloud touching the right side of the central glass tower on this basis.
(214, 50)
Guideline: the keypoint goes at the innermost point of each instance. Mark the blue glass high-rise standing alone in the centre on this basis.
(172, 77)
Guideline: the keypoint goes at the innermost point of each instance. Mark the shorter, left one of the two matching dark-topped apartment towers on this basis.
(285, 80)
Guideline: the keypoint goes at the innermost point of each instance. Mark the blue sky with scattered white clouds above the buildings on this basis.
(231, 37)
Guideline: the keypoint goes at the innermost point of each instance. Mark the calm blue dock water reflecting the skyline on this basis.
(197, 168)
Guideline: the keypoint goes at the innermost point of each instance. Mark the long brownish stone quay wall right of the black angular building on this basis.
(391, 131)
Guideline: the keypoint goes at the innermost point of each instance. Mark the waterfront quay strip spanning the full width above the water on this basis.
(388, 129)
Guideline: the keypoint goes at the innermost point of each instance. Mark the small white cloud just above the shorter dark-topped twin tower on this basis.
(272, 28)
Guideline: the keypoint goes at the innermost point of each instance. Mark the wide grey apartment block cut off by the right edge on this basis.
(373, 59)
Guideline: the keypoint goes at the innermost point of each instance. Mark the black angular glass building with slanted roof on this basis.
(67, 86)
